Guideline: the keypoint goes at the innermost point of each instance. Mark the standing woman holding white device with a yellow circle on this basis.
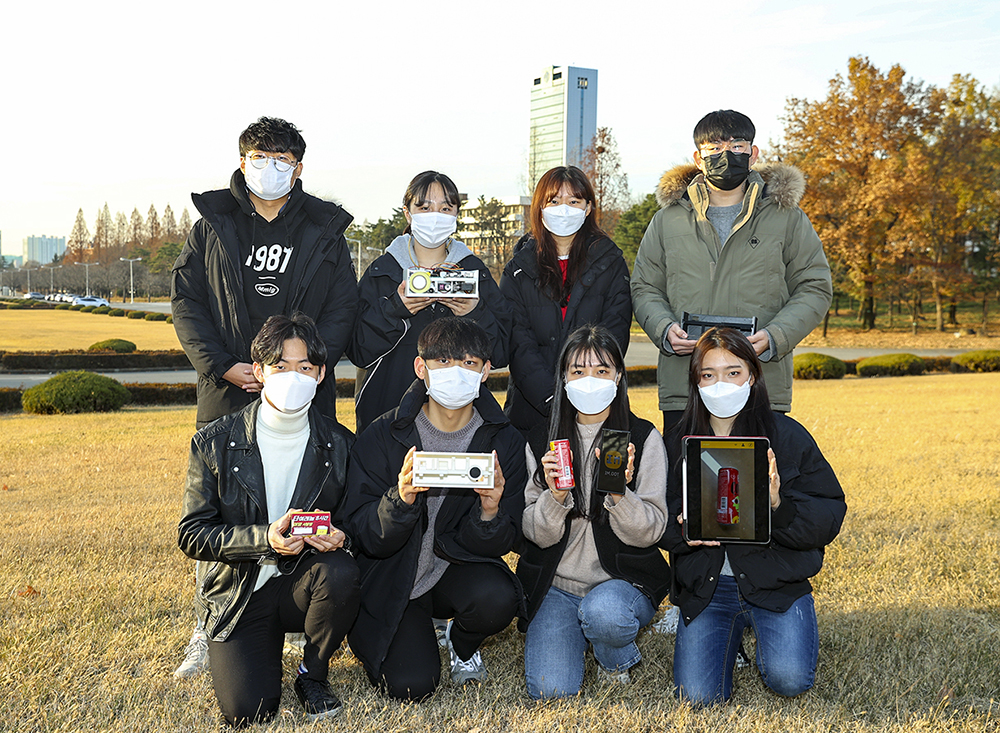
(389, 321)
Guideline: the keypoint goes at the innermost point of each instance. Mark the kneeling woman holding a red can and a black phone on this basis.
(590, 568)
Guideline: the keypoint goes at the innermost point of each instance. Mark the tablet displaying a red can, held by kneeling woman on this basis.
(726, 496)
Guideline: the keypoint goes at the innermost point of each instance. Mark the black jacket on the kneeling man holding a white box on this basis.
(386, 532)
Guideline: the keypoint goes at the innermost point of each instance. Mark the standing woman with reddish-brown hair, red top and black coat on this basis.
(565, 274)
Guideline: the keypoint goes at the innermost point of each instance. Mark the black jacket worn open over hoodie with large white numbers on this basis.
(210, 313)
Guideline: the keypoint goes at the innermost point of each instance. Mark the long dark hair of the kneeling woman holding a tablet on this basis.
(756, 417)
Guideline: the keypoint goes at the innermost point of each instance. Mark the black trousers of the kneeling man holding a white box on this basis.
(480, 597)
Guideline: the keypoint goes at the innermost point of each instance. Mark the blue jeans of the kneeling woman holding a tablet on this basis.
(705, 650)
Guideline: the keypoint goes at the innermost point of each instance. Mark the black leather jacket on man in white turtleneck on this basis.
(224, 520)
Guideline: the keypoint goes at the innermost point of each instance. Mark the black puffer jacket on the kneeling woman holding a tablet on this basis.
(775, 575)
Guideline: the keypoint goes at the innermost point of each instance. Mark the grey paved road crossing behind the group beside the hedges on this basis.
(640, 353)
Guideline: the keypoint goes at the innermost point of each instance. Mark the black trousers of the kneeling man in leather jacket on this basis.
(319, 598)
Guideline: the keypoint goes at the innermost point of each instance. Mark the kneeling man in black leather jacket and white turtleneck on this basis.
(248, 472)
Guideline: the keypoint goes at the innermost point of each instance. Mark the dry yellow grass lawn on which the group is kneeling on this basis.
(96, 597)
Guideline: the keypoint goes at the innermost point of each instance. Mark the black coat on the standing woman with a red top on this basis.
(599, 296)
